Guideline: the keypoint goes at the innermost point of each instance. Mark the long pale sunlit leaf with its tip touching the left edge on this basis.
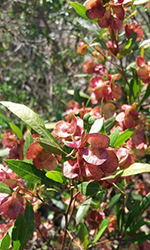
(28, 116)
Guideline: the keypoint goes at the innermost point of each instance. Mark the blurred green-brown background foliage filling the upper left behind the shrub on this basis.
(38, 59)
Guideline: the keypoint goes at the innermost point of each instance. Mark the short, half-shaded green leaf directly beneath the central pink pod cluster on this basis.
(89, 188)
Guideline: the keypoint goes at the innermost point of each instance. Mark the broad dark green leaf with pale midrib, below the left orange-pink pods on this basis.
(28, 171)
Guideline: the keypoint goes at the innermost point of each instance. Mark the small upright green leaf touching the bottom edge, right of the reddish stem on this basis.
(83, 235)
